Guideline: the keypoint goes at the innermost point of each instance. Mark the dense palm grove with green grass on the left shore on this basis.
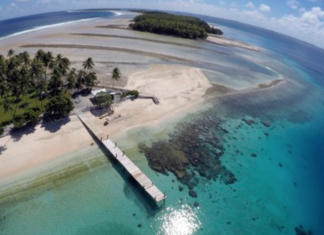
(29, 87)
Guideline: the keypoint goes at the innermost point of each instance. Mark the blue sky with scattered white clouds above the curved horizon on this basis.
(302, 19)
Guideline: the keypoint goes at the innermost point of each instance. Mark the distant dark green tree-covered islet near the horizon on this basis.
(175, 25)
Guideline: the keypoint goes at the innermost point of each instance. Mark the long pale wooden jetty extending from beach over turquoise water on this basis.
(128, 165)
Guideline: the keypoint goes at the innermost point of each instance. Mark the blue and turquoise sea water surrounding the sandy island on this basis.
(270, 141)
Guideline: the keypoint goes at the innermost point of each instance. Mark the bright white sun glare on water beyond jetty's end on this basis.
(181, 221)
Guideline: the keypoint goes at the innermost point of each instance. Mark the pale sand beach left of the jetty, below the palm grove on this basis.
(35, 152)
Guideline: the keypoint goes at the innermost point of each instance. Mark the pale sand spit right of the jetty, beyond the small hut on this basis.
(178, 89)
